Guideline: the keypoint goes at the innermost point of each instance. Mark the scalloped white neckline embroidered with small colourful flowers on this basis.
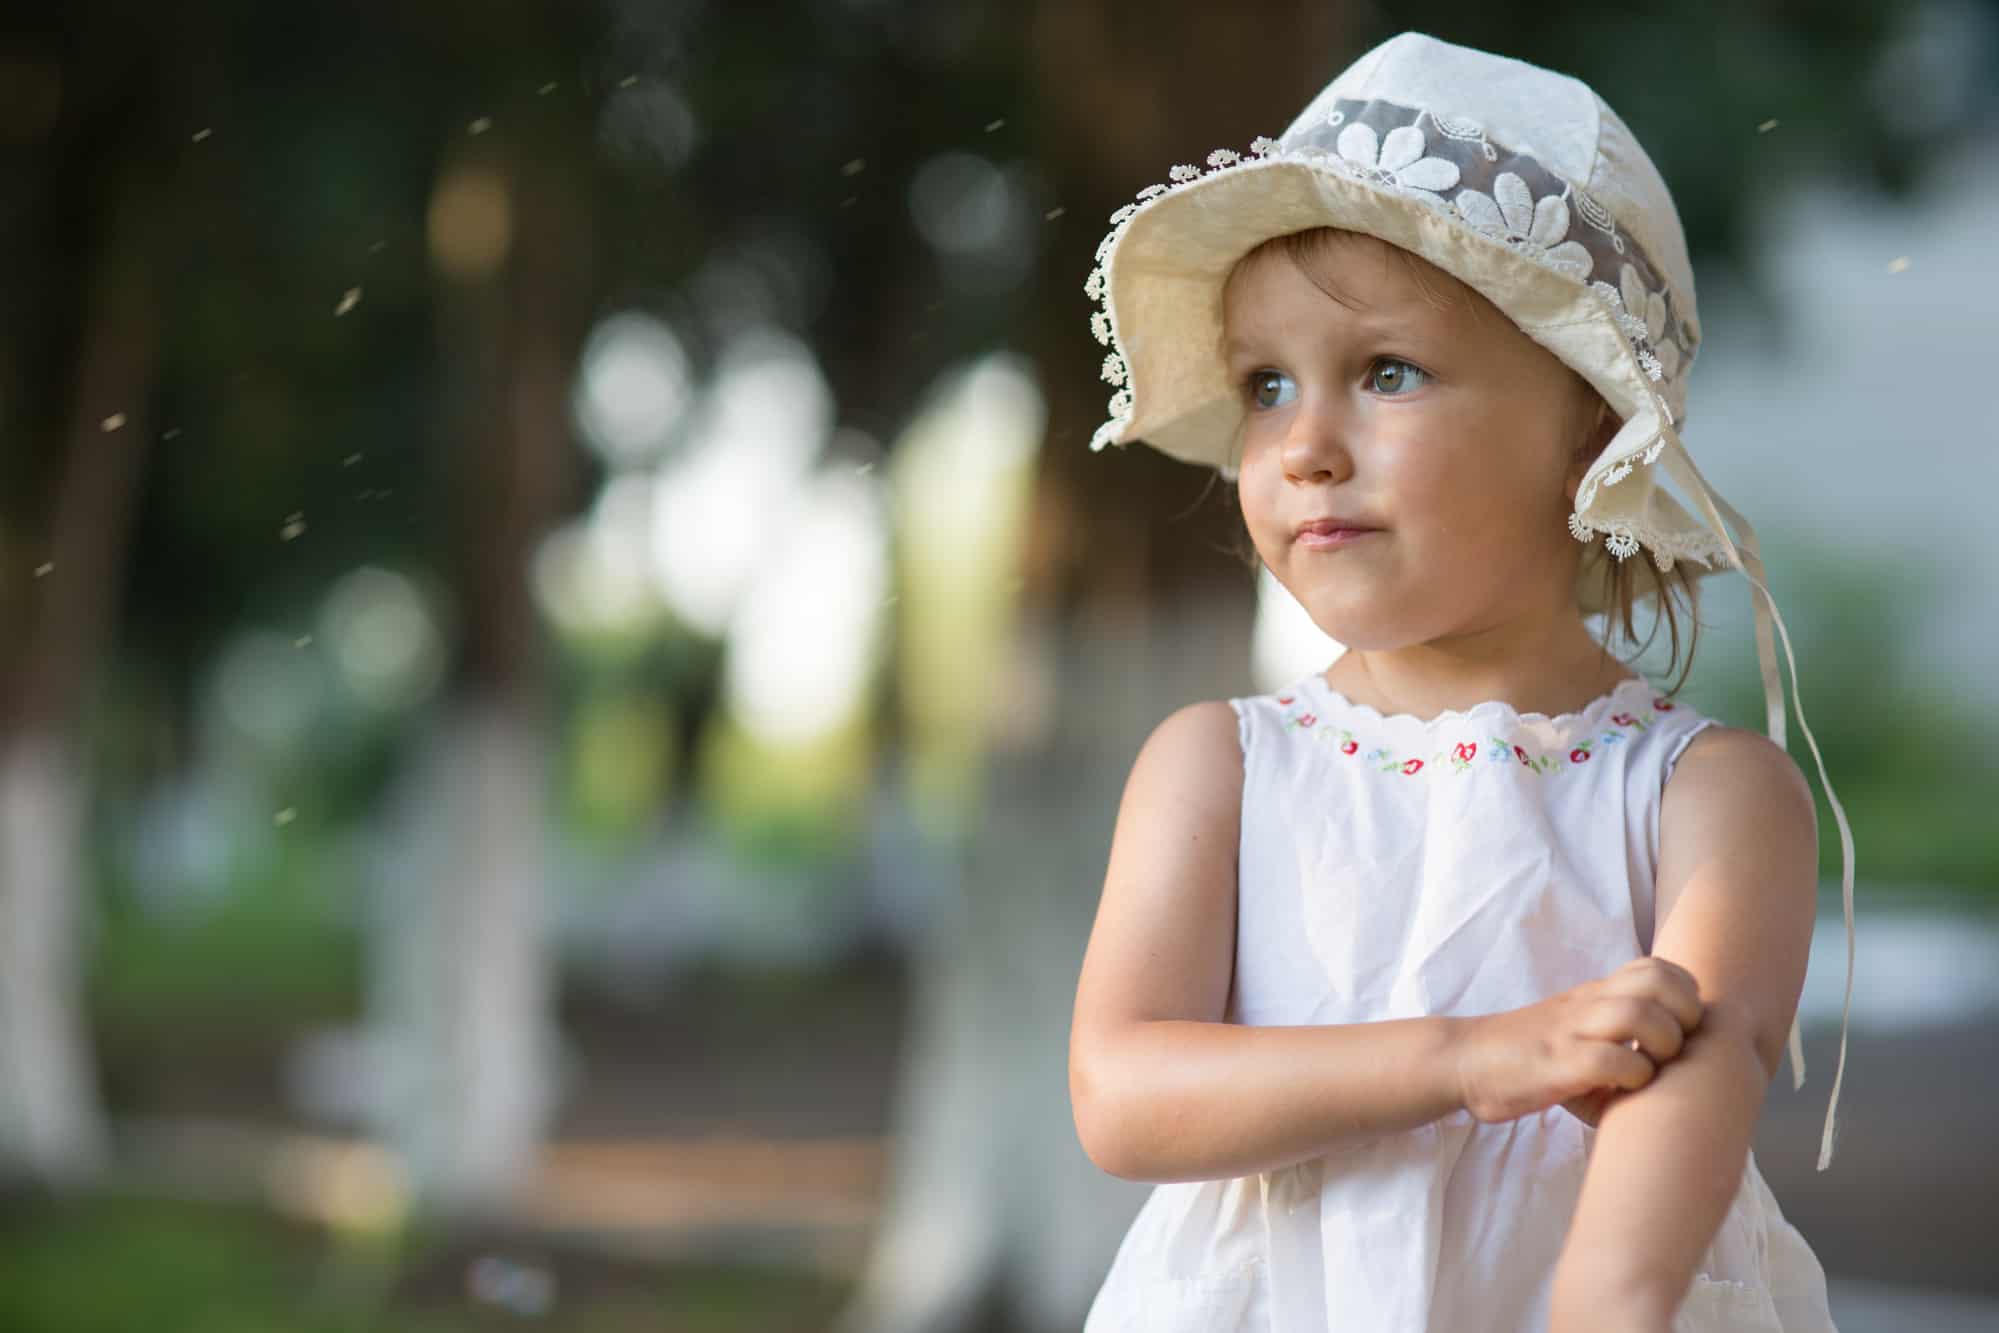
(1480, 734)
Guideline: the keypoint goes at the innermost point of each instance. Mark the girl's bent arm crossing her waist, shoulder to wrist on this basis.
(1160, 1086)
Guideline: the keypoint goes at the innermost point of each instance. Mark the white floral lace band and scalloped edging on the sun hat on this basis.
(1500, 193)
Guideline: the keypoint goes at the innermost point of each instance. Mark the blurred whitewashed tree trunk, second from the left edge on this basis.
(465, 984)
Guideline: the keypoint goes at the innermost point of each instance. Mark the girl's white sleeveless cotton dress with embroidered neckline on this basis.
(1456, 866)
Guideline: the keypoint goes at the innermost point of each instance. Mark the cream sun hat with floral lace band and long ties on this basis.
(1532, 191)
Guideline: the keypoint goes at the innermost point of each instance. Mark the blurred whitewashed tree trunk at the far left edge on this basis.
(51, 1118)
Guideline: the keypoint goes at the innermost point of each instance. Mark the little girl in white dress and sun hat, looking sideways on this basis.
(1442, 988)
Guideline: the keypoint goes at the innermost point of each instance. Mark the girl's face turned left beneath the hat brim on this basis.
(1450, 433)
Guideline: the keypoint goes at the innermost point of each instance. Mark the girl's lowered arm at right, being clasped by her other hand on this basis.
(1736, 896)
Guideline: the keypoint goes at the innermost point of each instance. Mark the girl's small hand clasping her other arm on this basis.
(1580, 1048)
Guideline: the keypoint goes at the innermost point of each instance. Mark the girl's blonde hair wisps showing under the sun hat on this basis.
(1620, 591)
